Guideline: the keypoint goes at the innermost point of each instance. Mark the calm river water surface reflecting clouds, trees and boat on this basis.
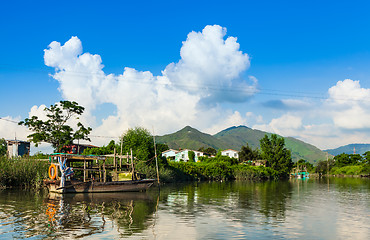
(296, 209)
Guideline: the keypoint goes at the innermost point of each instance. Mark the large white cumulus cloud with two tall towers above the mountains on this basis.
(210, 71)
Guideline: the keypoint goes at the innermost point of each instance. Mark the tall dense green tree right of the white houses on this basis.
(277, 156)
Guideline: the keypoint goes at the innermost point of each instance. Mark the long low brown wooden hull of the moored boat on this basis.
(95, 187)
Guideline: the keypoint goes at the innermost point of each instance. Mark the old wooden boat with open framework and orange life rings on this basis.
(70, 173)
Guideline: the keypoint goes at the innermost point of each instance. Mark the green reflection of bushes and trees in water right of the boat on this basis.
(232, 199)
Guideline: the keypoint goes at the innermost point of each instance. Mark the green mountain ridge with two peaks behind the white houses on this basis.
(235, 138)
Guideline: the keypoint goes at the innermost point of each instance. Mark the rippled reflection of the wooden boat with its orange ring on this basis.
(82, 215)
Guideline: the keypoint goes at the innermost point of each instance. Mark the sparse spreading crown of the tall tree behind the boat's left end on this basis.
(55, 129)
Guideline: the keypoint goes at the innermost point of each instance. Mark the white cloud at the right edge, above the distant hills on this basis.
(340, 119)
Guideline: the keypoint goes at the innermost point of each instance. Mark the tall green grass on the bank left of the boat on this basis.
(22, 172)
